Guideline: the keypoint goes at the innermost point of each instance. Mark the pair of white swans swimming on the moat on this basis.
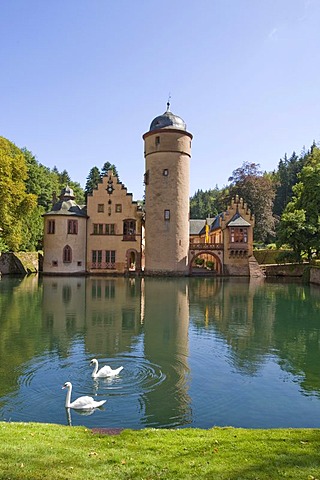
(85, 402)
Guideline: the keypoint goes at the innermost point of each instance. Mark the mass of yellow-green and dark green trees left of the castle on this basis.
(26, 192)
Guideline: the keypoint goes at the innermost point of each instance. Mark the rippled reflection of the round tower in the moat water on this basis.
(166, 344)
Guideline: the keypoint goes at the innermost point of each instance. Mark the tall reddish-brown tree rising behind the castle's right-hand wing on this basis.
(258, 191)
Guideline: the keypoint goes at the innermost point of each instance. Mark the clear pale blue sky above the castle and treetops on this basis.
(81, 81)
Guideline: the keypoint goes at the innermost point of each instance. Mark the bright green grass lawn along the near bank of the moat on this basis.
(44, 451)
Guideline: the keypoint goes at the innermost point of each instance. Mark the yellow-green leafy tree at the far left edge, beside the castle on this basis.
(15, 202)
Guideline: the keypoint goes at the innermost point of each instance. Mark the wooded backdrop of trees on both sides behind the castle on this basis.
(285, 202)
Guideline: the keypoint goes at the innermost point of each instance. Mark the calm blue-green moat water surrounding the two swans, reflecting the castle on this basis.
(196, 352)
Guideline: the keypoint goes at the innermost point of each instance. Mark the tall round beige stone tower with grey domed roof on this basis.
(167, 150)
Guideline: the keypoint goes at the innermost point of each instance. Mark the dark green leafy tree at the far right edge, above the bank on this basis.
(300, 222)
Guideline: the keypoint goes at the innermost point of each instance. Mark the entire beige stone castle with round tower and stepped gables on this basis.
(113, 234)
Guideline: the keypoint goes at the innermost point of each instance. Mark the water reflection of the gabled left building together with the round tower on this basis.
(114, 313)
